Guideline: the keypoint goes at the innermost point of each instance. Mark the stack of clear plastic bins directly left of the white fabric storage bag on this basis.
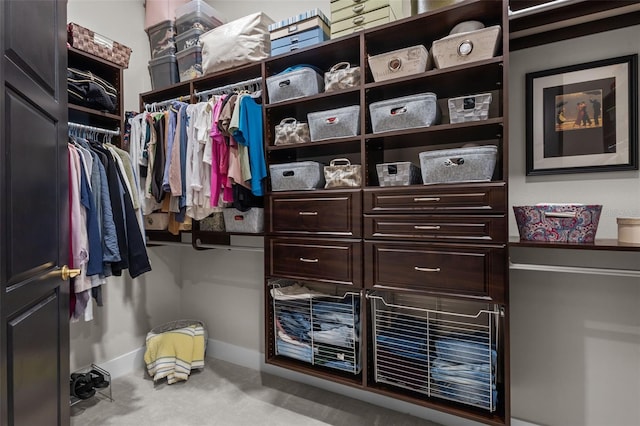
(192, 20)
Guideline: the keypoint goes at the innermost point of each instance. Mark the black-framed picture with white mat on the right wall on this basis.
(583, 118)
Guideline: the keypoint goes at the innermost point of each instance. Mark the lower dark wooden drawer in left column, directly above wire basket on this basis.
(323, 260)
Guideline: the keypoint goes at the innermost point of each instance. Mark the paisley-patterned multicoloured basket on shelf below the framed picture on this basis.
(575, 223)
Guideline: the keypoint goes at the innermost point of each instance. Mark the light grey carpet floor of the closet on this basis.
(226, 394)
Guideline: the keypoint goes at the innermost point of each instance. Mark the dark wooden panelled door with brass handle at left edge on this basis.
(34, 300)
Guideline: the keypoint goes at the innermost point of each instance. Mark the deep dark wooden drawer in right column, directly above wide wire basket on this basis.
(463, 270)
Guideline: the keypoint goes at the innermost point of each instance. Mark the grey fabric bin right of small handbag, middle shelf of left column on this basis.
(335, 123)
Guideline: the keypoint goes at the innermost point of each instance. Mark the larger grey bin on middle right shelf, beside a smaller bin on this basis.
(407, 112)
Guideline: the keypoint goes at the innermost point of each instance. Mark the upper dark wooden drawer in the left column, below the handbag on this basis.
(337, 213)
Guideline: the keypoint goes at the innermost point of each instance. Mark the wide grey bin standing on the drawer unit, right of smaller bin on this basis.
(472, 164)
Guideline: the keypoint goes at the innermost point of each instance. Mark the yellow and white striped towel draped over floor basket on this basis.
(173, 354)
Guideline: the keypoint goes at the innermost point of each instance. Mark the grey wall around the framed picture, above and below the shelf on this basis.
(575, 339)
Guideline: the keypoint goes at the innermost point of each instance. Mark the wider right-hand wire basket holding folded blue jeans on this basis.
(437, 351)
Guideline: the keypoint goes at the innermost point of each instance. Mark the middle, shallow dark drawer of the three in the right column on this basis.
(462, 228)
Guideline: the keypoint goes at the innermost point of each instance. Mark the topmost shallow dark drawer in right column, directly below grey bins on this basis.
(474, 198)
